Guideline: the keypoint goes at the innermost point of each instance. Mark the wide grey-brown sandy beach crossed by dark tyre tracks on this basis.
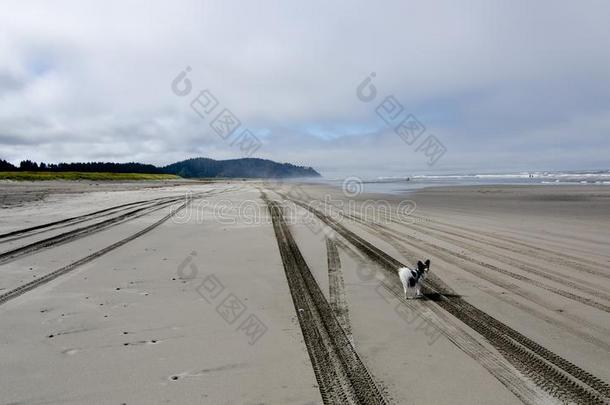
(273, 293)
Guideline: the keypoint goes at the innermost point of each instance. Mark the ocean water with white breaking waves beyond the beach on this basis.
(398, 185)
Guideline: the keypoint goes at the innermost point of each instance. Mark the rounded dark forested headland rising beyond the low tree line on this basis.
(247, 167)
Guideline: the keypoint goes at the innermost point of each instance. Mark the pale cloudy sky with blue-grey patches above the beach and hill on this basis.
(494, 86)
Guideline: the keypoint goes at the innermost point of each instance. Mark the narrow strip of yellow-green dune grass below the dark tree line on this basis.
(33, 176)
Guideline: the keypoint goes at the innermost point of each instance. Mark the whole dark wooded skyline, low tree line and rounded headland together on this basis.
(197, 167)
